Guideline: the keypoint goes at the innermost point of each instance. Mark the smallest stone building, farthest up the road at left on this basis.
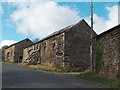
(14, 53)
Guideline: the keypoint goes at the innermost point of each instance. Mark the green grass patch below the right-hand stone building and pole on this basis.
(99, 80)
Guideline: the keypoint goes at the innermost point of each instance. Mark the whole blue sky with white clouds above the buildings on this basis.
(20, 19)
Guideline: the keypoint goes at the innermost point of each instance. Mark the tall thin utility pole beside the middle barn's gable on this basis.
(91, 45)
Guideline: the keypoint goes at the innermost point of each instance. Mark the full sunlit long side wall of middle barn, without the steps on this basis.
(50, 53)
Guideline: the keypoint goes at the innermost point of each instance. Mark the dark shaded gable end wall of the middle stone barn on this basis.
(77, 46)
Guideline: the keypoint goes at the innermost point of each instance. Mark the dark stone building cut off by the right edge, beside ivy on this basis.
(110, 45)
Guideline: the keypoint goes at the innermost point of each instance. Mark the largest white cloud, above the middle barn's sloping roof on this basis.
(41, 19)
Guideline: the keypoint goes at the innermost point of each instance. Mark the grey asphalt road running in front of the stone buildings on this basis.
(14, 76)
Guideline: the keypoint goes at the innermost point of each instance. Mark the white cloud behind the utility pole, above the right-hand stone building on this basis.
(101, 24)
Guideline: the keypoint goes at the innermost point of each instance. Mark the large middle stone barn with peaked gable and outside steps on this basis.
(69, 47)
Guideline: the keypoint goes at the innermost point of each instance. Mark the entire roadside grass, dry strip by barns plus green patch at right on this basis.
(99, 80)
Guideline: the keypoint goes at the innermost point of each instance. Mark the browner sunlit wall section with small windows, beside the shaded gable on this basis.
(52, 50)
